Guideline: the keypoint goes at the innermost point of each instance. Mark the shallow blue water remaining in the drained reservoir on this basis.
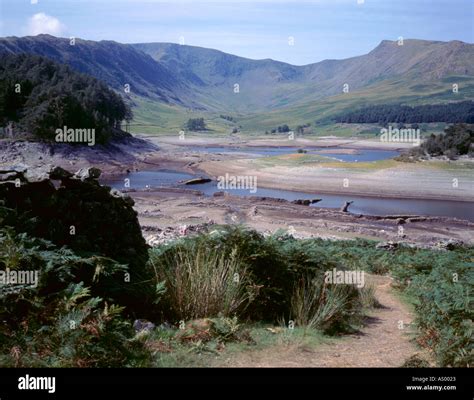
(361, 205)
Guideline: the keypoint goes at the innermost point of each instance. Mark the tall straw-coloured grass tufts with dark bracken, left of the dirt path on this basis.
(198, 272)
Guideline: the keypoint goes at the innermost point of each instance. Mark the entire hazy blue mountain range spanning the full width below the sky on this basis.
(205, 79)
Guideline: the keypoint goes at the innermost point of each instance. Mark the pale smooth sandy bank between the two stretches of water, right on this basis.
(397, 180)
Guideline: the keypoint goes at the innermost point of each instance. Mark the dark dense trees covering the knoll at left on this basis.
(38, 96)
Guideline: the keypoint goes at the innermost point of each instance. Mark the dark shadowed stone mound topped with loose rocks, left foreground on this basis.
(74, 210)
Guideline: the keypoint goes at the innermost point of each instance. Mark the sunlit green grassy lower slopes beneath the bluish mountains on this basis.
(318, 113)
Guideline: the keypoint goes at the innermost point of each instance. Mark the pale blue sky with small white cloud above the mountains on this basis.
(295, 31)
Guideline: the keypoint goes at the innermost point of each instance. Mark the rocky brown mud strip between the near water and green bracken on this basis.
(169, 210)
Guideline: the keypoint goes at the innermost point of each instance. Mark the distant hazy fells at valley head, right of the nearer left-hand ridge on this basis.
(276, 84)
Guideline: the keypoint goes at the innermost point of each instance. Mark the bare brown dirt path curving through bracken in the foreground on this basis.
(381, 343)
